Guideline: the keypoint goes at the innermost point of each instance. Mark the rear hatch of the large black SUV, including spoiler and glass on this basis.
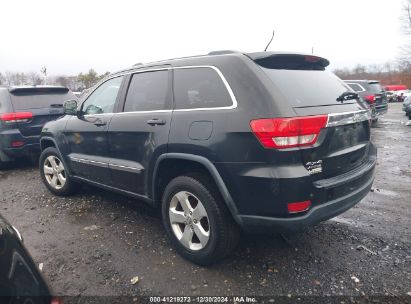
(335, 124)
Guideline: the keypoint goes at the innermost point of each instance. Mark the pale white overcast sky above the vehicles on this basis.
(73, 36)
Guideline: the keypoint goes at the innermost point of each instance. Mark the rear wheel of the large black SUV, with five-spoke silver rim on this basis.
(201, 246)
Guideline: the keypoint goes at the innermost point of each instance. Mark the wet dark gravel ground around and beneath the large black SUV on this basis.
(95, 242)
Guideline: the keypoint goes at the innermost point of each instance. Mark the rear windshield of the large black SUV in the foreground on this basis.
(308, 88)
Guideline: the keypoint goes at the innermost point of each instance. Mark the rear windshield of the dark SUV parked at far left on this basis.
(37, 100)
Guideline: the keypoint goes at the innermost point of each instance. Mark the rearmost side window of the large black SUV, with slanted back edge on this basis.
(199, 88)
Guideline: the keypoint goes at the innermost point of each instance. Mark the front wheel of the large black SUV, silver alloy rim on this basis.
(54, 175)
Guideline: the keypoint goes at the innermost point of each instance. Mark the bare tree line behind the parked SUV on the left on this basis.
(75, 83)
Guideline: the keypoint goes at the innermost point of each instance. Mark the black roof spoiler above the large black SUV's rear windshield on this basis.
(288, 61)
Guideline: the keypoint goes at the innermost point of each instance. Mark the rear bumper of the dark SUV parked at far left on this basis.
(8, 153)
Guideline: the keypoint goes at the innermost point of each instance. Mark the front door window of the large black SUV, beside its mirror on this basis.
(102, 100)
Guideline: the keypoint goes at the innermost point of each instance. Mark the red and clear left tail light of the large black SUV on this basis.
(283, 133)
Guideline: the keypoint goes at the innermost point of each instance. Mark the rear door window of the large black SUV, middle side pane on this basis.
(148, 91)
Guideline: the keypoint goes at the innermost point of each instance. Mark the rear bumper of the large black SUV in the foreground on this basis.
(330, 197)
